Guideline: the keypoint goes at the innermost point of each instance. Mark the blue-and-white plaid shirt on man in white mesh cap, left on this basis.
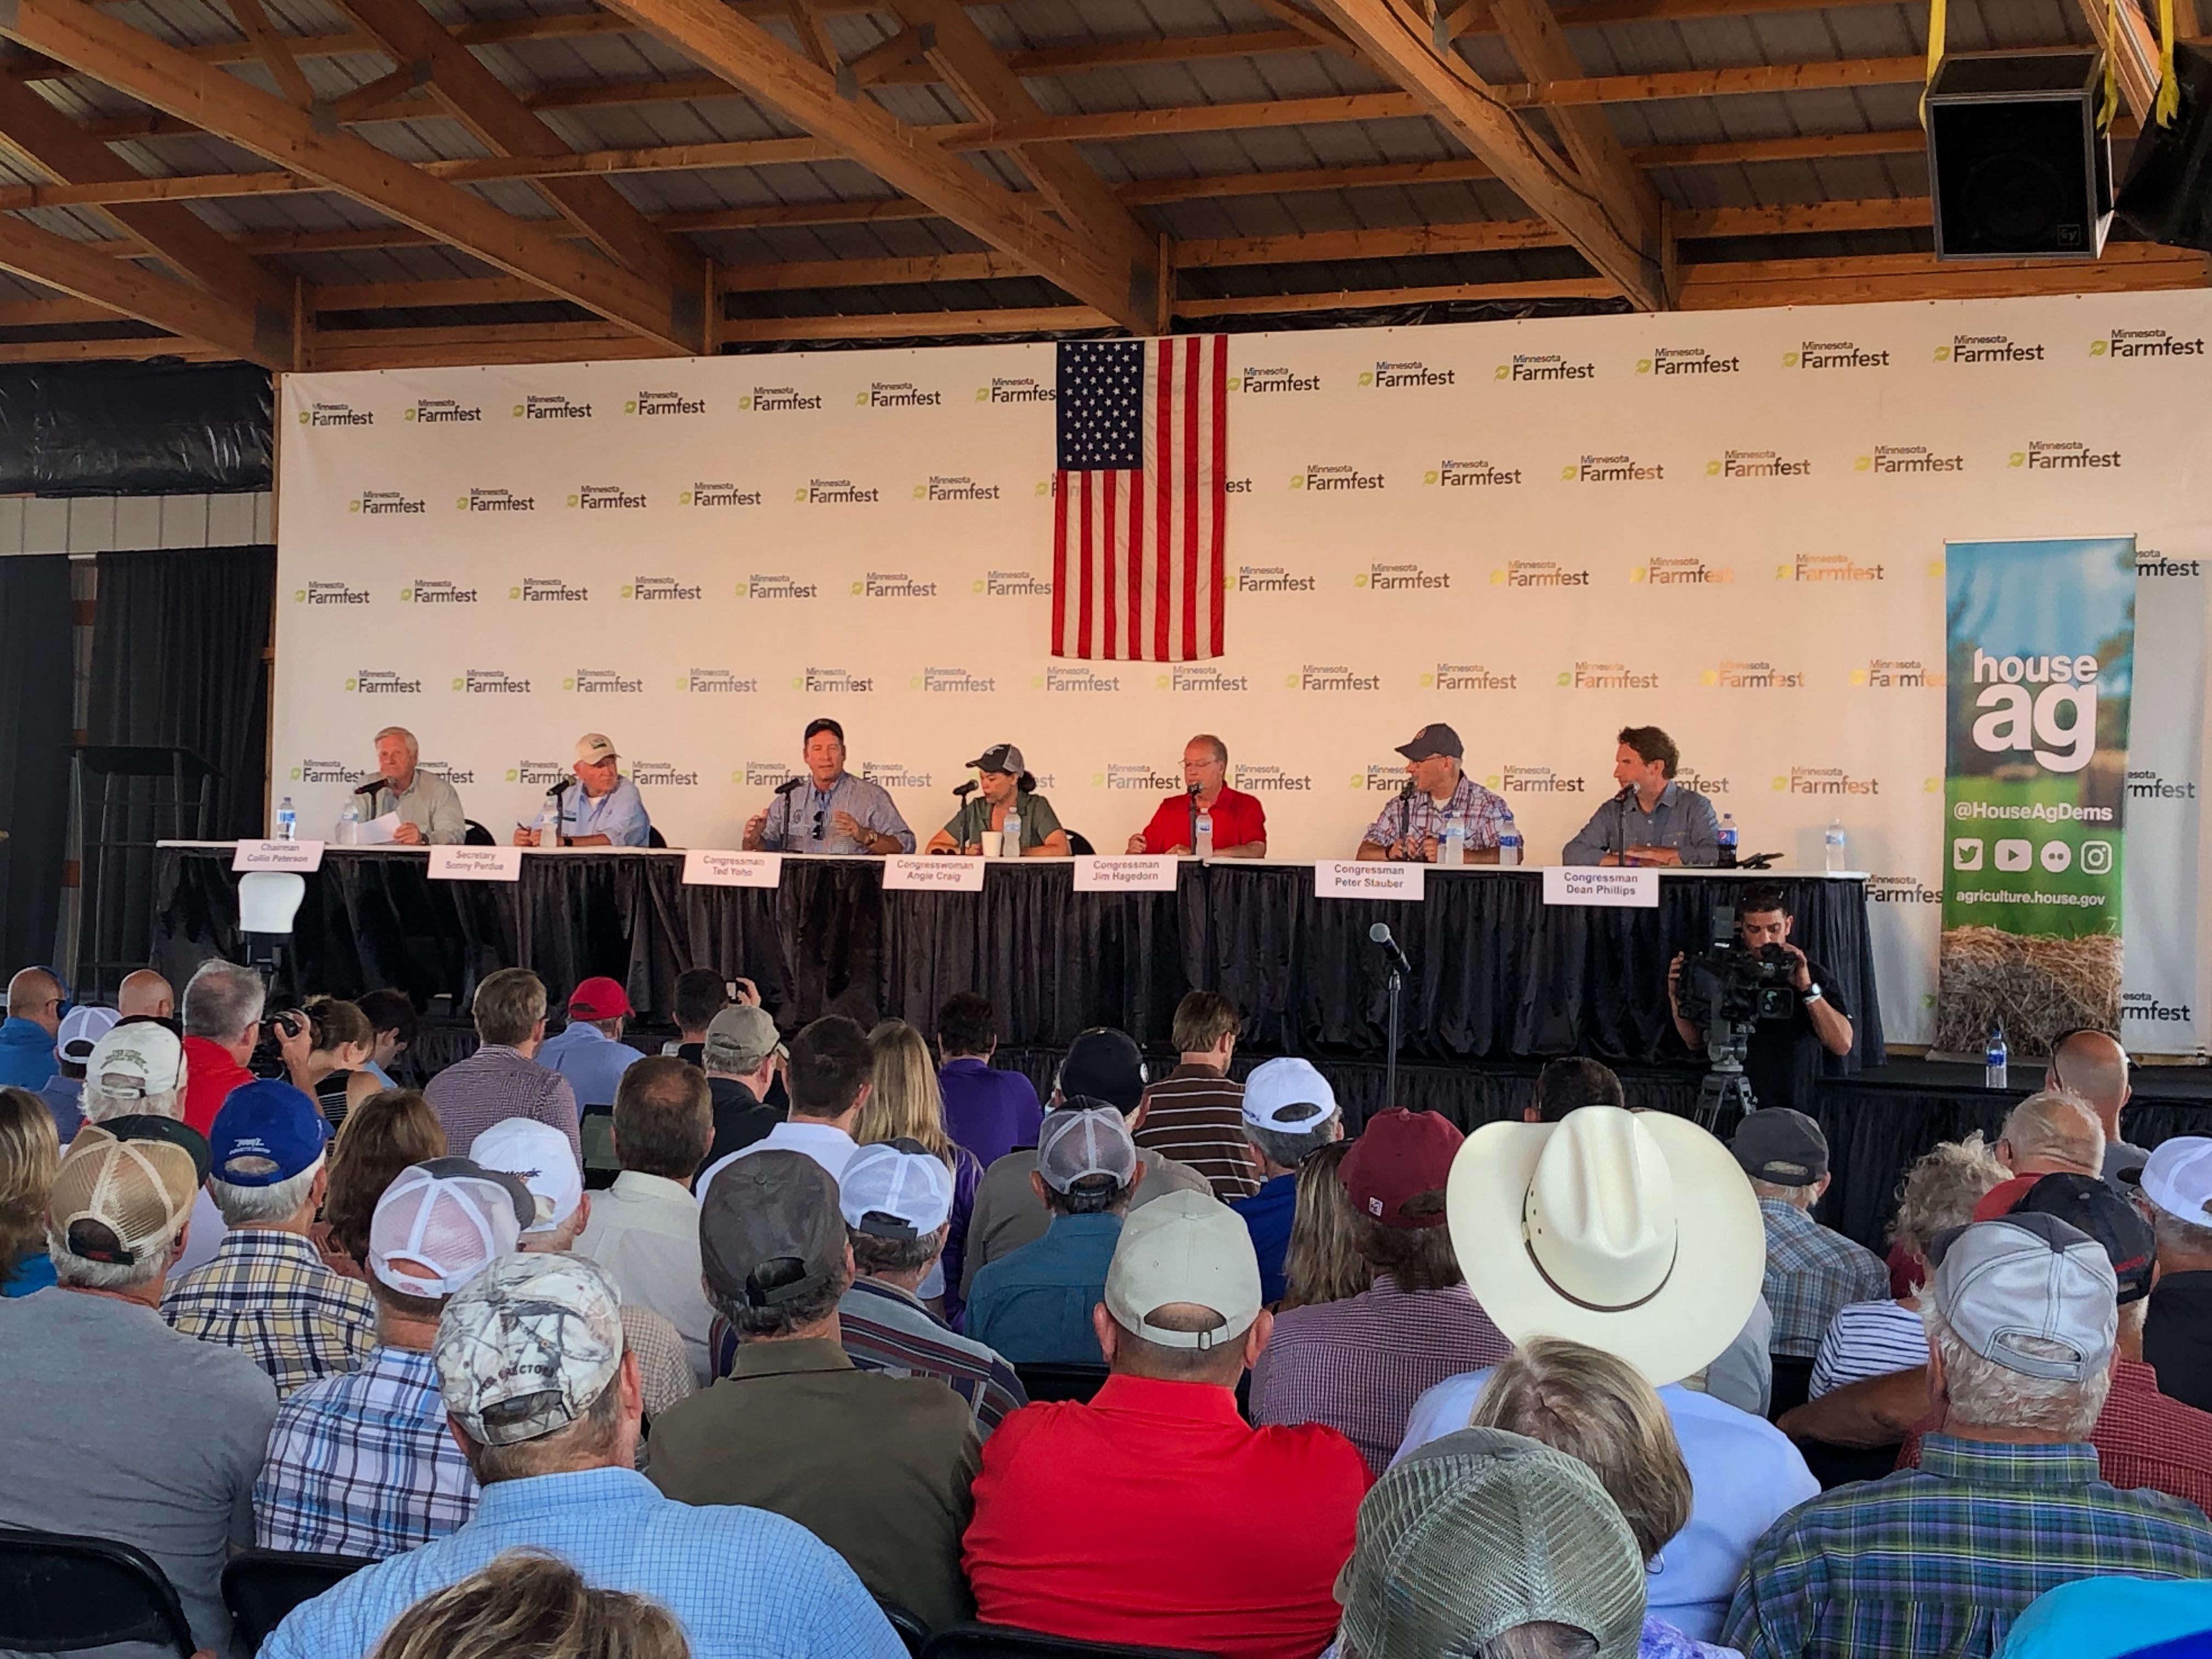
(364, 1465)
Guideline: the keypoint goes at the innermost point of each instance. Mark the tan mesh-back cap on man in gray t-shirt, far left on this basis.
(125, 1187)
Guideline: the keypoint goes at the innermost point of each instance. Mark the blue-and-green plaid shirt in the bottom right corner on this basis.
(1937, 1563)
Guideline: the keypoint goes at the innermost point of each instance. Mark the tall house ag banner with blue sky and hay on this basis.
(2043, 665)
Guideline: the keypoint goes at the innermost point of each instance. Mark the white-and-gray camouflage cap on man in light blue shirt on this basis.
(528, 1346)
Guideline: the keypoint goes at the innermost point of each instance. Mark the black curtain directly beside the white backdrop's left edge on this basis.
(180, 658)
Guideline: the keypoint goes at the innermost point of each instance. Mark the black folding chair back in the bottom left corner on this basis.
(63, 1594)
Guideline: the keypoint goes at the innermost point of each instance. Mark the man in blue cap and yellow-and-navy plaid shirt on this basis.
(267, 1293)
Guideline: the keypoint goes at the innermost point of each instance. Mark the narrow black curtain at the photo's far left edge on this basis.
(34, 755)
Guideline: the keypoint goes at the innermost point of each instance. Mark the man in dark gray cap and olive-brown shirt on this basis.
(877, 1468)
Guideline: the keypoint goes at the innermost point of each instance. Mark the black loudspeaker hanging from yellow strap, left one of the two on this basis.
(2016, 163)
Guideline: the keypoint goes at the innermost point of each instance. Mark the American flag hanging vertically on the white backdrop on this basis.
(1140, 499)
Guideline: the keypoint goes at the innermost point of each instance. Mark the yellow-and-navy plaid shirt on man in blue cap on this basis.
(269, 1295)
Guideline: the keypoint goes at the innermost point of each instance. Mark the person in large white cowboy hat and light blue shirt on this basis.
(1638, 1235)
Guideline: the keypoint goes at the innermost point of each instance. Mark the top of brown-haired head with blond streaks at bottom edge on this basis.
(534, 1607)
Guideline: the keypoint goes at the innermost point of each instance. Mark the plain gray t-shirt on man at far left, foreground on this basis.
(121, 1428)
